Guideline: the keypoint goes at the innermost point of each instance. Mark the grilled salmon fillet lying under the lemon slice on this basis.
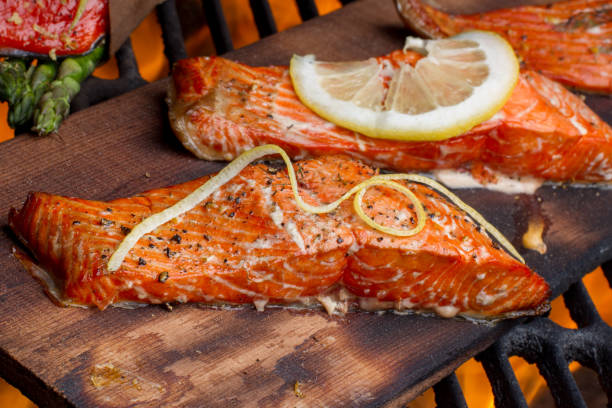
(219, 109)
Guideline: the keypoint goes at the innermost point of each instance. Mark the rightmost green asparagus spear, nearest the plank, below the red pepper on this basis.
(54, 105)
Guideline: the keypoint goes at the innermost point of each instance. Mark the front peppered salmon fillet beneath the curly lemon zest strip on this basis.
(250, 243)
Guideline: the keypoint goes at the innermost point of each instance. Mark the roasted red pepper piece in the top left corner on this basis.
(51, 27)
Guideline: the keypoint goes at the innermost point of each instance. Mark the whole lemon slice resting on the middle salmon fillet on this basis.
(461, 82)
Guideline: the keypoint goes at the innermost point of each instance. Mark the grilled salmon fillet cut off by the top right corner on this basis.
(568, 41)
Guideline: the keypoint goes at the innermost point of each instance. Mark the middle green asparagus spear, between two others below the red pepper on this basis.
(21, 111)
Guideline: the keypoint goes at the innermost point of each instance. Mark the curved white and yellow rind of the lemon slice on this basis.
(439, 124)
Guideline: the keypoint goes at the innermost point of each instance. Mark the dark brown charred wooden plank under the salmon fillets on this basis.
(196, 356)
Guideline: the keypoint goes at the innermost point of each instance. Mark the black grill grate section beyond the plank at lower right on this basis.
(551, 348)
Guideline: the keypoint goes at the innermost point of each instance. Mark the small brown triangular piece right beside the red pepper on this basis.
(125, 15)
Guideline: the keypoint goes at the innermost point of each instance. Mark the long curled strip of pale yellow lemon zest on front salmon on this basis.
(235, 167)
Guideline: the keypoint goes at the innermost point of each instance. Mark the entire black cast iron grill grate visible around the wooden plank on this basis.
(538, 340)
